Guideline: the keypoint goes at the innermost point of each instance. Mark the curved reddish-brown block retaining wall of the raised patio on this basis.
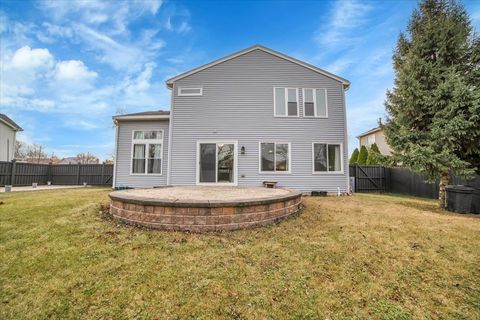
(203, 216)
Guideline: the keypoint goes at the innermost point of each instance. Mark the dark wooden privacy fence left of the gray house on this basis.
(23, 174)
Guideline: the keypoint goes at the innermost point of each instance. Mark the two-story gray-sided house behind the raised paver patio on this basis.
(256, 115)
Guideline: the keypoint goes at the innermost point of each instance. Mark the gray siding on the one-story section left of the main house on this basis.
(124, 155)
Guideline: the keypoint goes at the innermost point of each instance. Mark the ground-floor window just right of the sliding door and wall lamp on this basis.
(275, 157)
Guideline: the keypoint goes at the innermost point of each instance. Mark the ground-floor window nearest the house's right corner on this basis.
(327, 157)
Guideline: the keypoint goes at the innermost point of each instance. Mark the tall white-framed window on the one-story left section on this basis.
(147, 151)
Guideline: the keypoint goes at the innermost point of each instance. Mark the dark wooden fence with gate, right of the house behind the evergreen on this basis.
(399, 180)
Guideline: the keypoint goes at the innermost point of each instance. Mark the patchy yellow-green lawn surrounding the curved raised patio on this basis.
(365, 256)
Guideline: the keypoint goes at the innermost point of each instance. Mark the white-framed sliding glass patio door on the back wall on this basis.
(217, 162)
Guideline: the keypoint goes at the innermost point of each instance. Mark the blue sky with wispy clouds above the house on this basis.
(67, 67)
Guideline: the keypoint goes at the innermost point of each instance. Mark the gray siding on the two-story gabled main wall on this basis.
(237, 104)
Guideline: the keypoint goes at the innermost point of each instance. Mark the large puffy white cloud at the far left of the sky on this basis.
(31, 79)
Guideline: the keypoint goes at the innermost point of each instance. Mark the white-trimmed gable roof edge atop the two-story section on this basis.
(345, 82)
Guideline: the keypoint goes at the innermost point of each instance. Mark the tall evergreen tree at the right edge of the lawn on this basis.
(433, 109)
